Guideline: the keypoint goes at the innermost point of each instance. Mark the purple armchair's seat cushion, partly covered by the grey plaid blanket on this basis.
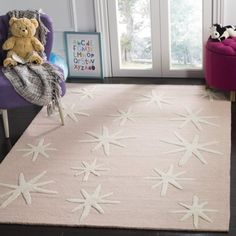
(9, 98)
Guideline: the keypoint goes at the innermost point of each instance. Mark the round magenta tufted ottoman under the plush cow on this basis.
(221, 65)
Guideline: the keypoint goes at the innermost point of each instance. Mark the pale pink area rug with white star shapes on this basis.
(129, 156)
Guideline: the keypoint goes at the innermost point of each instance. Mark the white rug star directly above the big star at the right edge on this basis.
(194, 118)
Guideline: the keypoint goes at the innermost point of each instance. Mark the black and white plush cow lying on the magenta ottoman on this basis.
(219, 33)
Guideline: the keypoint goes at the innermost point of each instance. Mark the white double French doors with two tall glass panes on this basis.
(158, 37)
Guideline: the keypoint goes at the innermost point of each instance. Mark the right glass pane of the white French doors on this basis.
(185, 34)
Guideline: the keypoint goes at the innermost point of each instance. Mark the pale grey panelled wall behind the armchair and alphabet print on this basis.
(67, 15)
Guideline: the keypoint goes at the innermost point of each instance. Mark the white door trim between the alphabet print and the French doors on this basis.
(101, 21)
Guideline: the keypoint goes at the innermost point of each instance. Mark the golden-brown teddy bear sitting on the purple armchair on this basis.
(22, 46)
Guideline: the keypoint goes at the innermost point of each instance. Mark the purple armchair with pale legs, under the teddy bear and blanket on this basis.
(9, 98)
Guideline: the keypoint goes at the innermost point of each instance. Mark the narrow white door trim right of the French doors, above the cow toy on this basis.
(218, 11)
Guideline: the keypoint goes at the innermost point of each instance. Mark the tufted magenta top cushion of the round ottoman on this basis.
(226, 47)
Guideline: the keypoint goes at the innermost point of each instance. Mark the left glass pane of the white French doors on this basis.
(134, 32)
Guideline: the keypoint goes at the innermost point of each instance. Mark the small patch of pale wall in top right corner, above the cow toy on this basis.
(229, 12)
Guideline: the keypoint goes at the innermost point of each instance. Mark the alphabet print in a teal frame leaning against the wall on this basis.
(84, 56)
